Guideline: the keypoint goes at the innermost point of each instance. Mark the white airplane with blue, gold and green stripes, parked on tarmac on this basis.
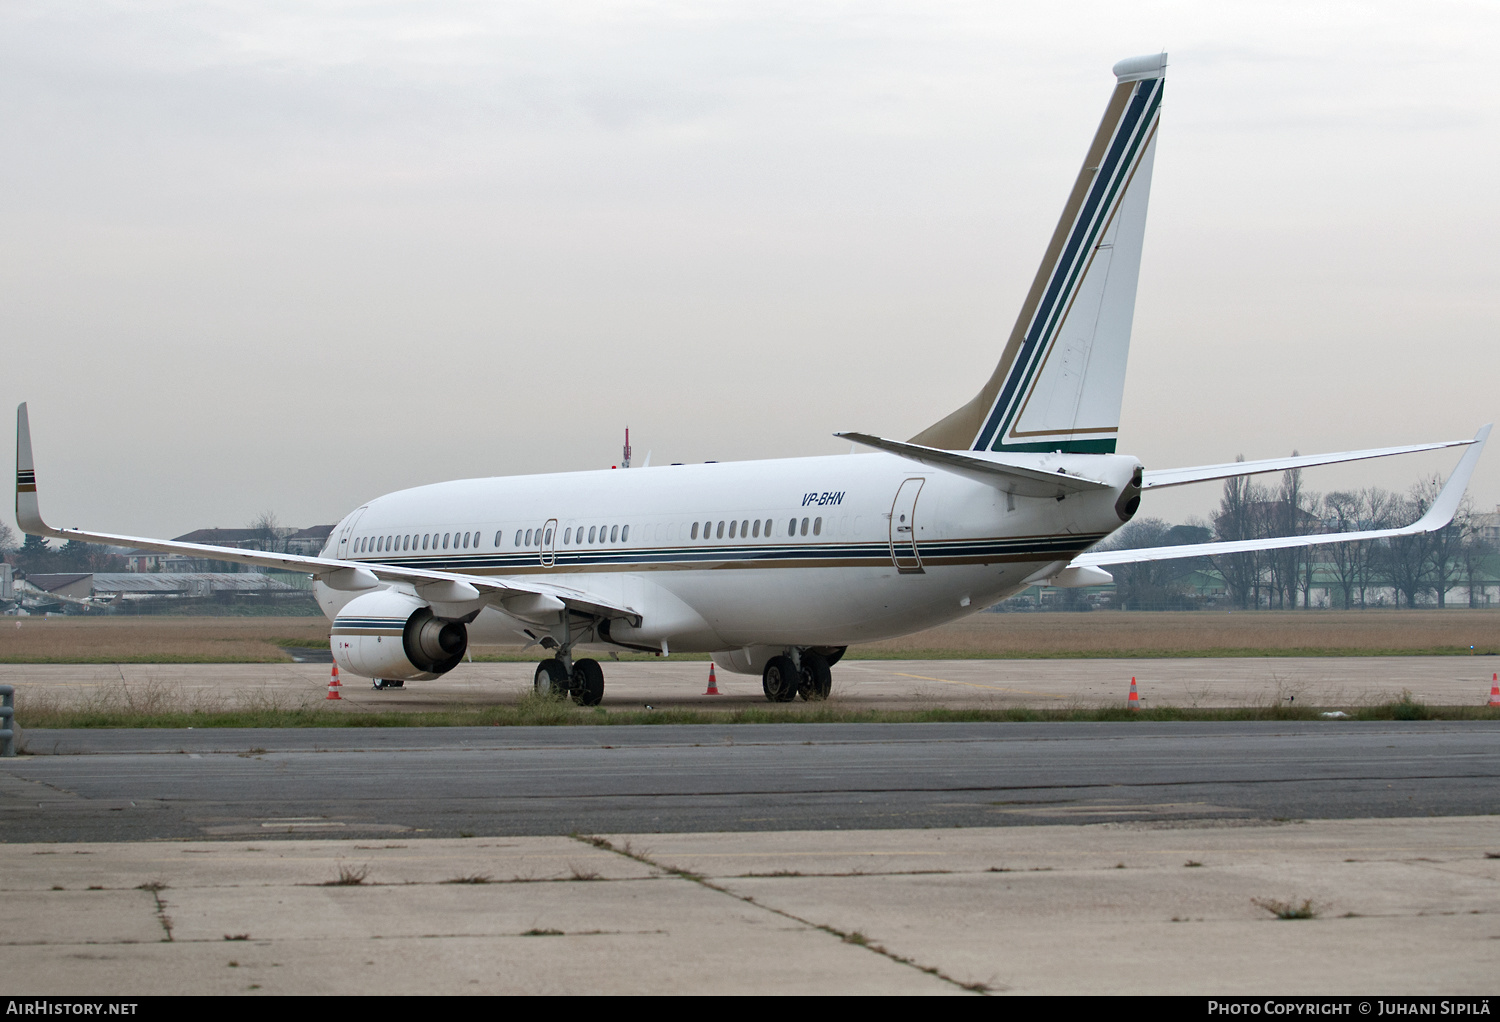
(778, 567)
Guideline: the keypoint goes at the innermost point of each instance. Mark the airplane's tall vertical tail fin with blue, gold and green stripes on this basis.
(1063, 373)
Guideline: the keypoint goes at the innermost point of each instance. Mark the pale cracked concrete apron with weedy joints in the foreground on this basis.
(1399, 907)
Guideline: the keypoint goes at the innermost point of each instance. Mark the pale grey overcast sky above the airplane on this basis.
(293, 256)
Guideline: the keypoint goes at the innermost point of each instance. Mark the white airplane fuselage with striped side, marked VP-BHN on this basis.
(806, 552)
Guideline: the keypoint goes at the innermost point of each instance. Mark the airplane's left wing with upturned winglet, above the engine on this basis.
(446, 588)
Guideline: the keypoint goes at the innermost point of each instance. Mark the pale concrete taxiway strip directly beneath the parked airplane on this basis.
(1187, 682)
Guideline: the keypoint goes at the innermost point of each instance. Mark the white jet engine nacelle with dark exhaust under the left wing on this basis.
(395, 636)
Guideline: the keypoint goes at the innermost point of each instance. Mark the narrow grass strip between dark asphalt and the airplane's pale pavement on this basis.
(533, 712)
